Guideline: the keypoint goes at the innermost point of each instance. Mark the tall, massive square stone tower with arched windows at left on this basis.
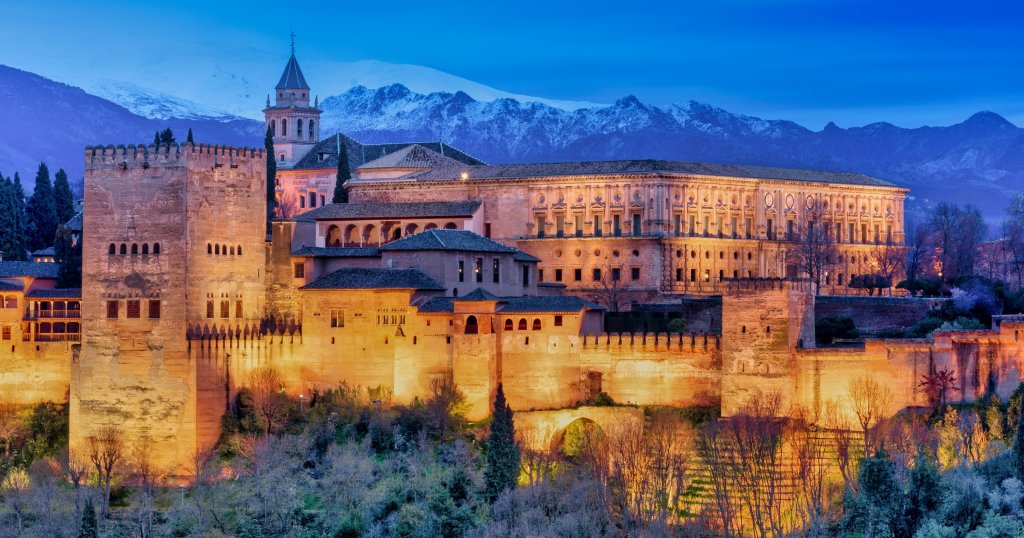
(177, 241)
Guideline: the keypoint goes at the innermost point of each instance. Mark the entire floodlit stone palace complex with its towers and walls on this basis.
(442, 266)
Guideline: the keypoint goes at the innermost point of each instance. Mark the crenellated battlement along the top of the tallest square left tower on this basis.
(100, 157)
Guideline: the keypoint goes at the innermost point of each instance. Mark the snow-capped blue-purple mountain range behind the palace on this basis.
(979, 161)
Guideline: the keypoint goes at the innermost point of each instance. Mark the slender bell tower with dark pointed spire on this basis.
(294, 122)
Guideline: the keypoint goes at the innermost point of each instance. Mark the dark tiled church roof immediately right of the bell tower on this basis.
(360, 154)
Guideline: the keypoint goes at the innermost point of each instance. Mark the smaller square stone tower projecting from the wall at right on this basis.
(764, 322)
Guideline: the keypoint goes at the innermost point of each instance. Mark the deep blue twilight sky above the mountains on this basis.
(912, 63)
